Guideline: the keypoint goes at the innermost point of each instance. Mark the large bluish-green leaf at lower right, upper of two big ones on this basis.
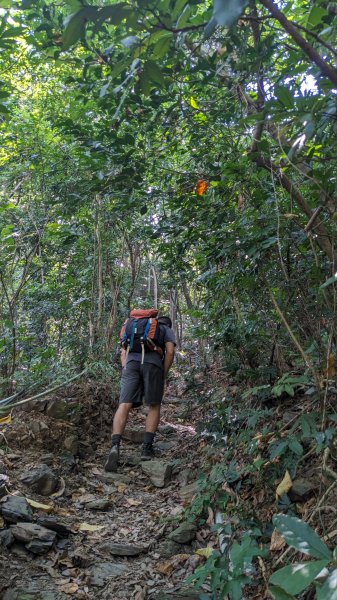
(300, 536)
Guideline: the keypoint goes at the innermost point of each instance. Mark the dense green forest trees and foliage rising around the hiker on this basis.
(176, 153)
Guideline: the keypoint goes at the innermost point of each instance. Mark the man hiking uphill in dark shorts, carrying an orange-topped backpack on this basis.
(148, 346)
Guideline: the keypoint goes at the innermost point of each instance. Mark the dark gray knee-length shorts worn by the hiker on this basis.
(142, 380)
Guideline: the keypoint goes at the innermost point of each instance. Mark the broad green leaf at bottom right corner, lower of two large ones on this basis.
(293, 579)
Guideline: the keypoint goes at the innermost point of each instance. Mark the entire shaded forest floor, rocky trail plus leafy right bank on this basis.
(139, 533)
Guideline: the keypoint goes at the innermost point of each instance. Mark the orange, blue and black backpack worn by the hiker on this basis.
(141, 333)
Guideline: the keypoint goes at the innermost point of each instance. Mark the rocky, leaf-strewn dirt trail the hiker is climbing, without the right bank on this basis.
(119, 534)
